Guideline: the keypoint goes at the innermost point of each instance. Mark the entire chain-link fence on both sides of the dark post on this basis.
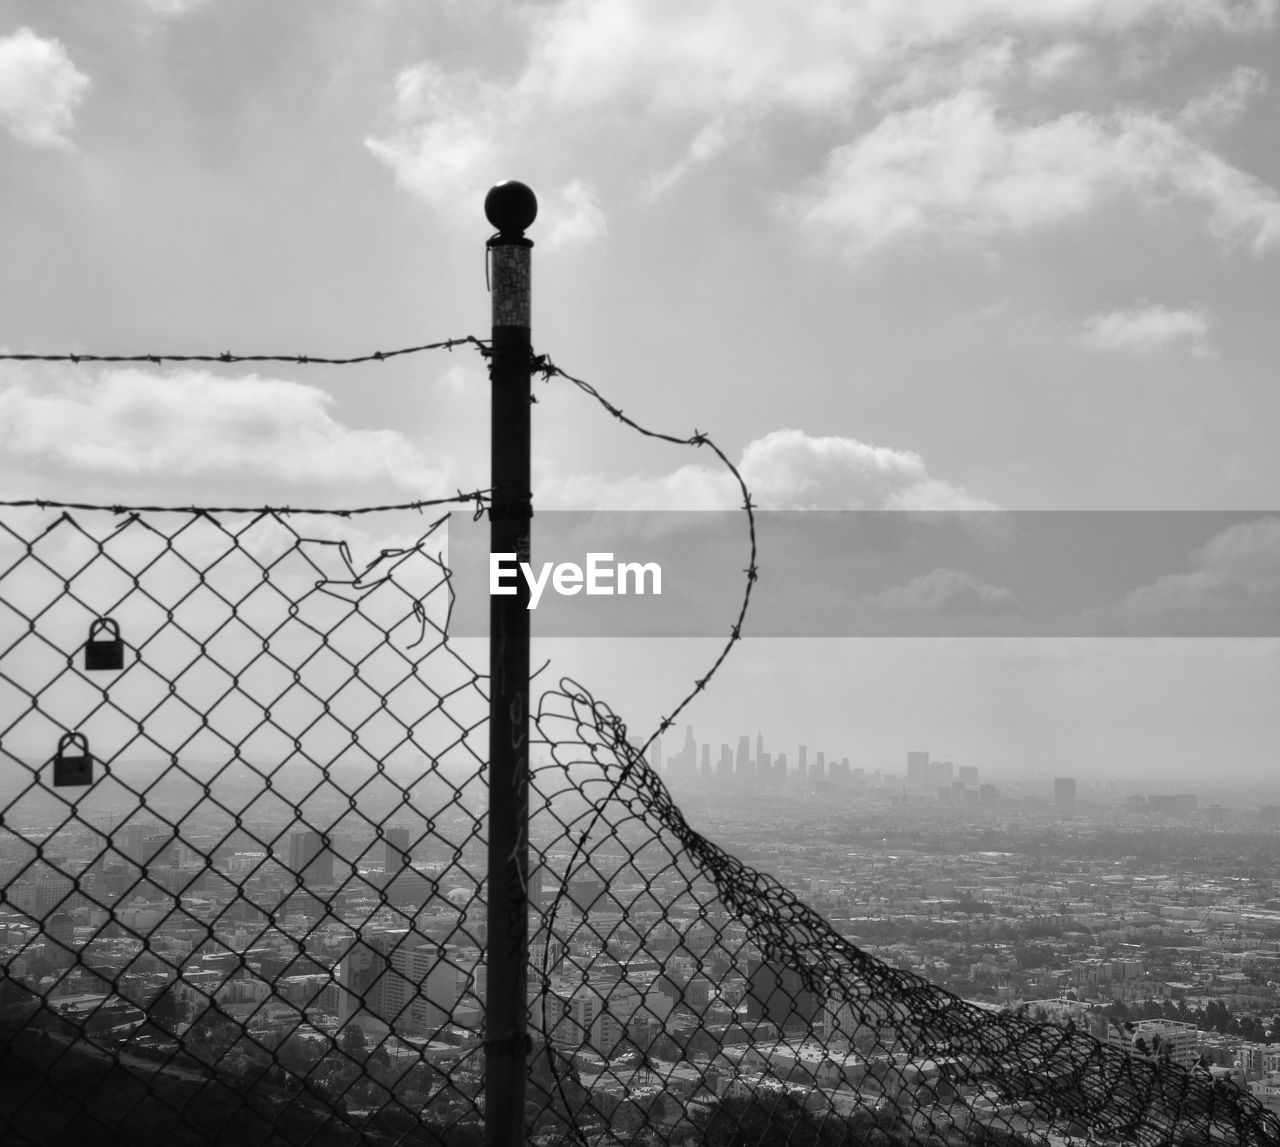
(243, 862)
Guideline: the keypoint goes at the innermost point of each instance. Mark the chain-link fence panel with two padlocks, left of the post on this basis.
(280, 849)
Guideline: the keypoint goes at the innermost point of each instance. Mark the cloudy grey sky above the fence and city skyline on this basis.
(916, 255)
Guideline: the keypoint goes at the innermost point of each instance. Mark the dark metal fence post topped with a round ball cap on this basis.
(511, 208)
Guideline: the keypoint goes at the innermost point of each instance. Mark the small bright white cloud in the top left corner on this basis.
(40, 90)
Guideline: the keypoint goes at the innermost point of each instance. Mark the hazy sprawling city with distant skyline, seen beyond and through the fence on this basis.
(1146, 918)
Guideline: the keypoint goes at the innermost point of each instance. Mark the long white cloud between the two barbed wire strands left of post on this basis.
(190, 426)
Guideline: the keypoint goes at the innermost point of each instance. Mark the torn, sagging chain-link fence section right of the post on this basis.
(689, 999)
